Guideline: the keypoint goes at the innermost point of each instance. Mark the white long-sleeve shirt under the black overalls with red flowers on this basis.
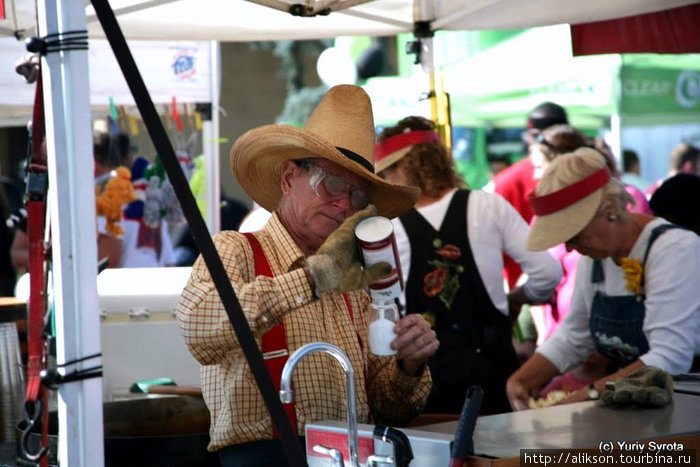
(494, 227)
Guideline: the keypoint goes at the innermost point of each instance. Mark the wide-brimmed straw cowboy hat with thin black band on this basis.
(340, 129)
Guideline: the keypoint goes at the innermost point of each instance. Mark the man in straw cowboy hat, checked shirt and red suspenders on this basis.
(319, 183)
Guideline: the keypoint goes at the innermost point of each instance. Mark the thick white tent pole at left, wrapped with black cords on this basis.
(74, 245)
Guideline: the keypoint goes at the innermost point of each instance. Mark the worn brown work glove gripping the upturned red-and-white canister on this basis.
(336, 265)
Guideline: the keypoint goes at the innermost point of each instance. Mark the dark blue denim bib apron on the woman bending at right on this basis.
(616, 322)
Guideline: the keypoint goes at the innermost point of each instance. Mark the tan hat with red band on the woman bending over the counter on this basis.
(567, 197)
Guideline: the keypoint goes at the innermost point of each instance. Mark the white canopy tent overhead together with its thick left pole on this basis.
(68, 128)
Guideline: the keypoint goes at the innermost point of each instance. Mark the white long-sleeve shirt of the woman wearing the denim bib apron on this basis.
(672, 304)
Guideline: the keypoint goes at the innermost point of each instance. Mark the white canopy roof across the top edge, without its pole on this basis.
(240, 20)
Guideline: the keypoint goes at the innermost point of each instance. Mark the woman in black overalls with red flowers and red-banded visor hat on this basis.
(451, 246)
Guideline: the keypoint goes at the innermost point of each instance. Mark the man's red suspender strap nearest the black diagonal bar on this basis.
(274, 341)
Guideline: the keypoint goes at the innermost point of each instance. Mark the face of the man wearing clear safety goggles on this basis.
(311, 215)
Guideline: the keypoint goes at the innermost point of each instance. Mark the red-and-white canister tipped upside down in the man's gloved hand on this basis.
(375, 237)
